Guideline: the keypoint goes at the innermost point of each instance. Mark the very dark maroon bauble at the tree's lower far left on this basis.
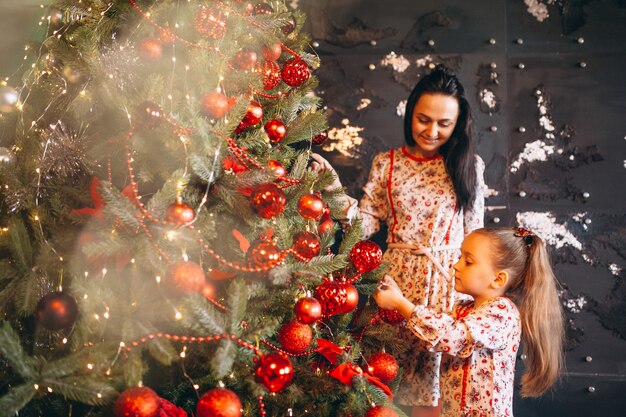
(56, 311)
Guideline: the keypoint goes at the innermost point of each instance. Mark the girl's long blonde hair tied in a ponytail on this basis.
(533, 287)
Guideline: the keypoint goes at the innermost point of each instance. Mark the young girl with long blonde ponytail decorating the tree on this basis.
(480, 337)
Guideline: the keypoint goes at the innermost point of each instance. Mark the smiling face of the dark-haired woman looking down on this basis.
(434, 119)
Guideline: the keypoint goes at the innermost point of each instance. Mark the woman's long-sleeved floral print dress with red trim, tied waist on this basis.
(416, 198)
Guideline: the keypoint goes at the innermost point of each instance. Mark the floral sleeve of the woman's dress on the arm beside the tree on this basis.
(374, 206)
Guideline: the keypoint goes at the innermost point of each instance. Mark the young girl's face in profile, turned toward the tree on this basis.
(474, 271)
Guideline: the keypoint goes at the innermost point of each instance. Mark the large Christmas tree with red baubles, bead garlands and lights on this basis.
(165, 248)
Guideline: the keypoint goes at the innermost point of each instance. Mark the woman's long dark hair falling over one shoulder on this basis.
(458, 152)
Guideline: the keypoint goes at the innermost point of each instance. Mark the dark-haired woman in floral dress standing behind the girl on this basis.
(430, 194)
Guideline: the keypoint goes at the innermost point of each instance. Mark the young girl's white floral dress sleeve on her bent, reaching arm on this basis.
(487, 327)
